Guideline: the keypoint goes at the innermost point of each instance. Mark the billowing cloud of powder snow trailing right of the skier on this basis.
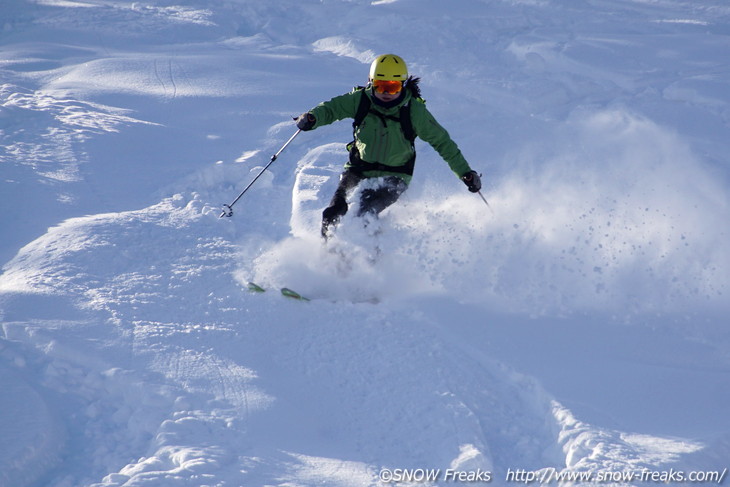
(611, 212)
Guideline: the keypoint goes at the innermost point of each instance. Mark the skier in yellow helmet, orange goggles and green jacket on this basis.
(388, 113)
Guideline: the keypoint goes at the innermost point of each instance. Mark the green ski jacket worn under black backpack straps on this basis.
(385, 143)
